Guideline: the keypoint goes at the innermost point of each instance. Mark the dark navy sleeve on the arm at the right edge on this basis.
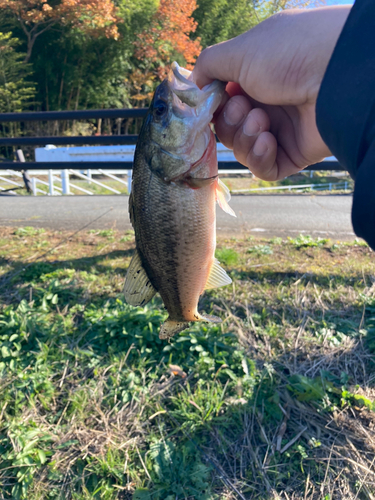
(345, 111)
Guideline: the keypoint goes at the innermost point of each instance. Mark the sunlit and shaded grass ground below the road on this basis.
(276, 402)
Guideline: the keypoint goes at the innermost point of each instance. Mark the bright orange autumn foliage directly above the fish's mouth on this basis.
(168, 35)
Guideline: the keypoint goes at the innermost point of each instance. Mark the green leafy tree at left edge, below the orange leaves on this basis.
(15, 93)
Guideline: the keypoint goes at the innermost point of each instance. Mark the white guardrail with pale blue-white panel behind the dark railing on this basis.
(61, 184)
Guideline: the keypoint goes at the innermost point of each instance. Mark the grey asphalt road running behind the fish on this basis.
(265, 215)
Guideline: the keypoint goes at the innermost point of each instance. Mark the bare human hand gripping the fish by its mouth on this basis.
(274, 72)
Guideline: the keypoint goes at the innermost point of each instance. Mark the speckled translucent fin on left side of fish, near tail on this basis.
(138, 289)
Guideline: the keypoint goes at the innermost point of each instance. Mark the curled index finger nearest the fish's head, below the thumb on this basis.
(231, 119)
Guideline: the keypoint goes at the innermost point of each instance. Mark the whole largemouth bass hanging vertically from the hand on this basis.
(172, 205)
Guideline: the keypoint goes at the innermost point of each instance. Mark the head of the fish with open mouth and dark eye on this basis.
(178, 122)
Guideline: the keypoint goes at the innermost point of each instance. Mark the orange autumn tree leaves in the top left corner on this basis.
(93, 17)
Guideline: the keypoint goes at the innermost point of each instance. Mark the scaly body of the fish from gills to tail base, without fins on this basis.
(176, 238)
